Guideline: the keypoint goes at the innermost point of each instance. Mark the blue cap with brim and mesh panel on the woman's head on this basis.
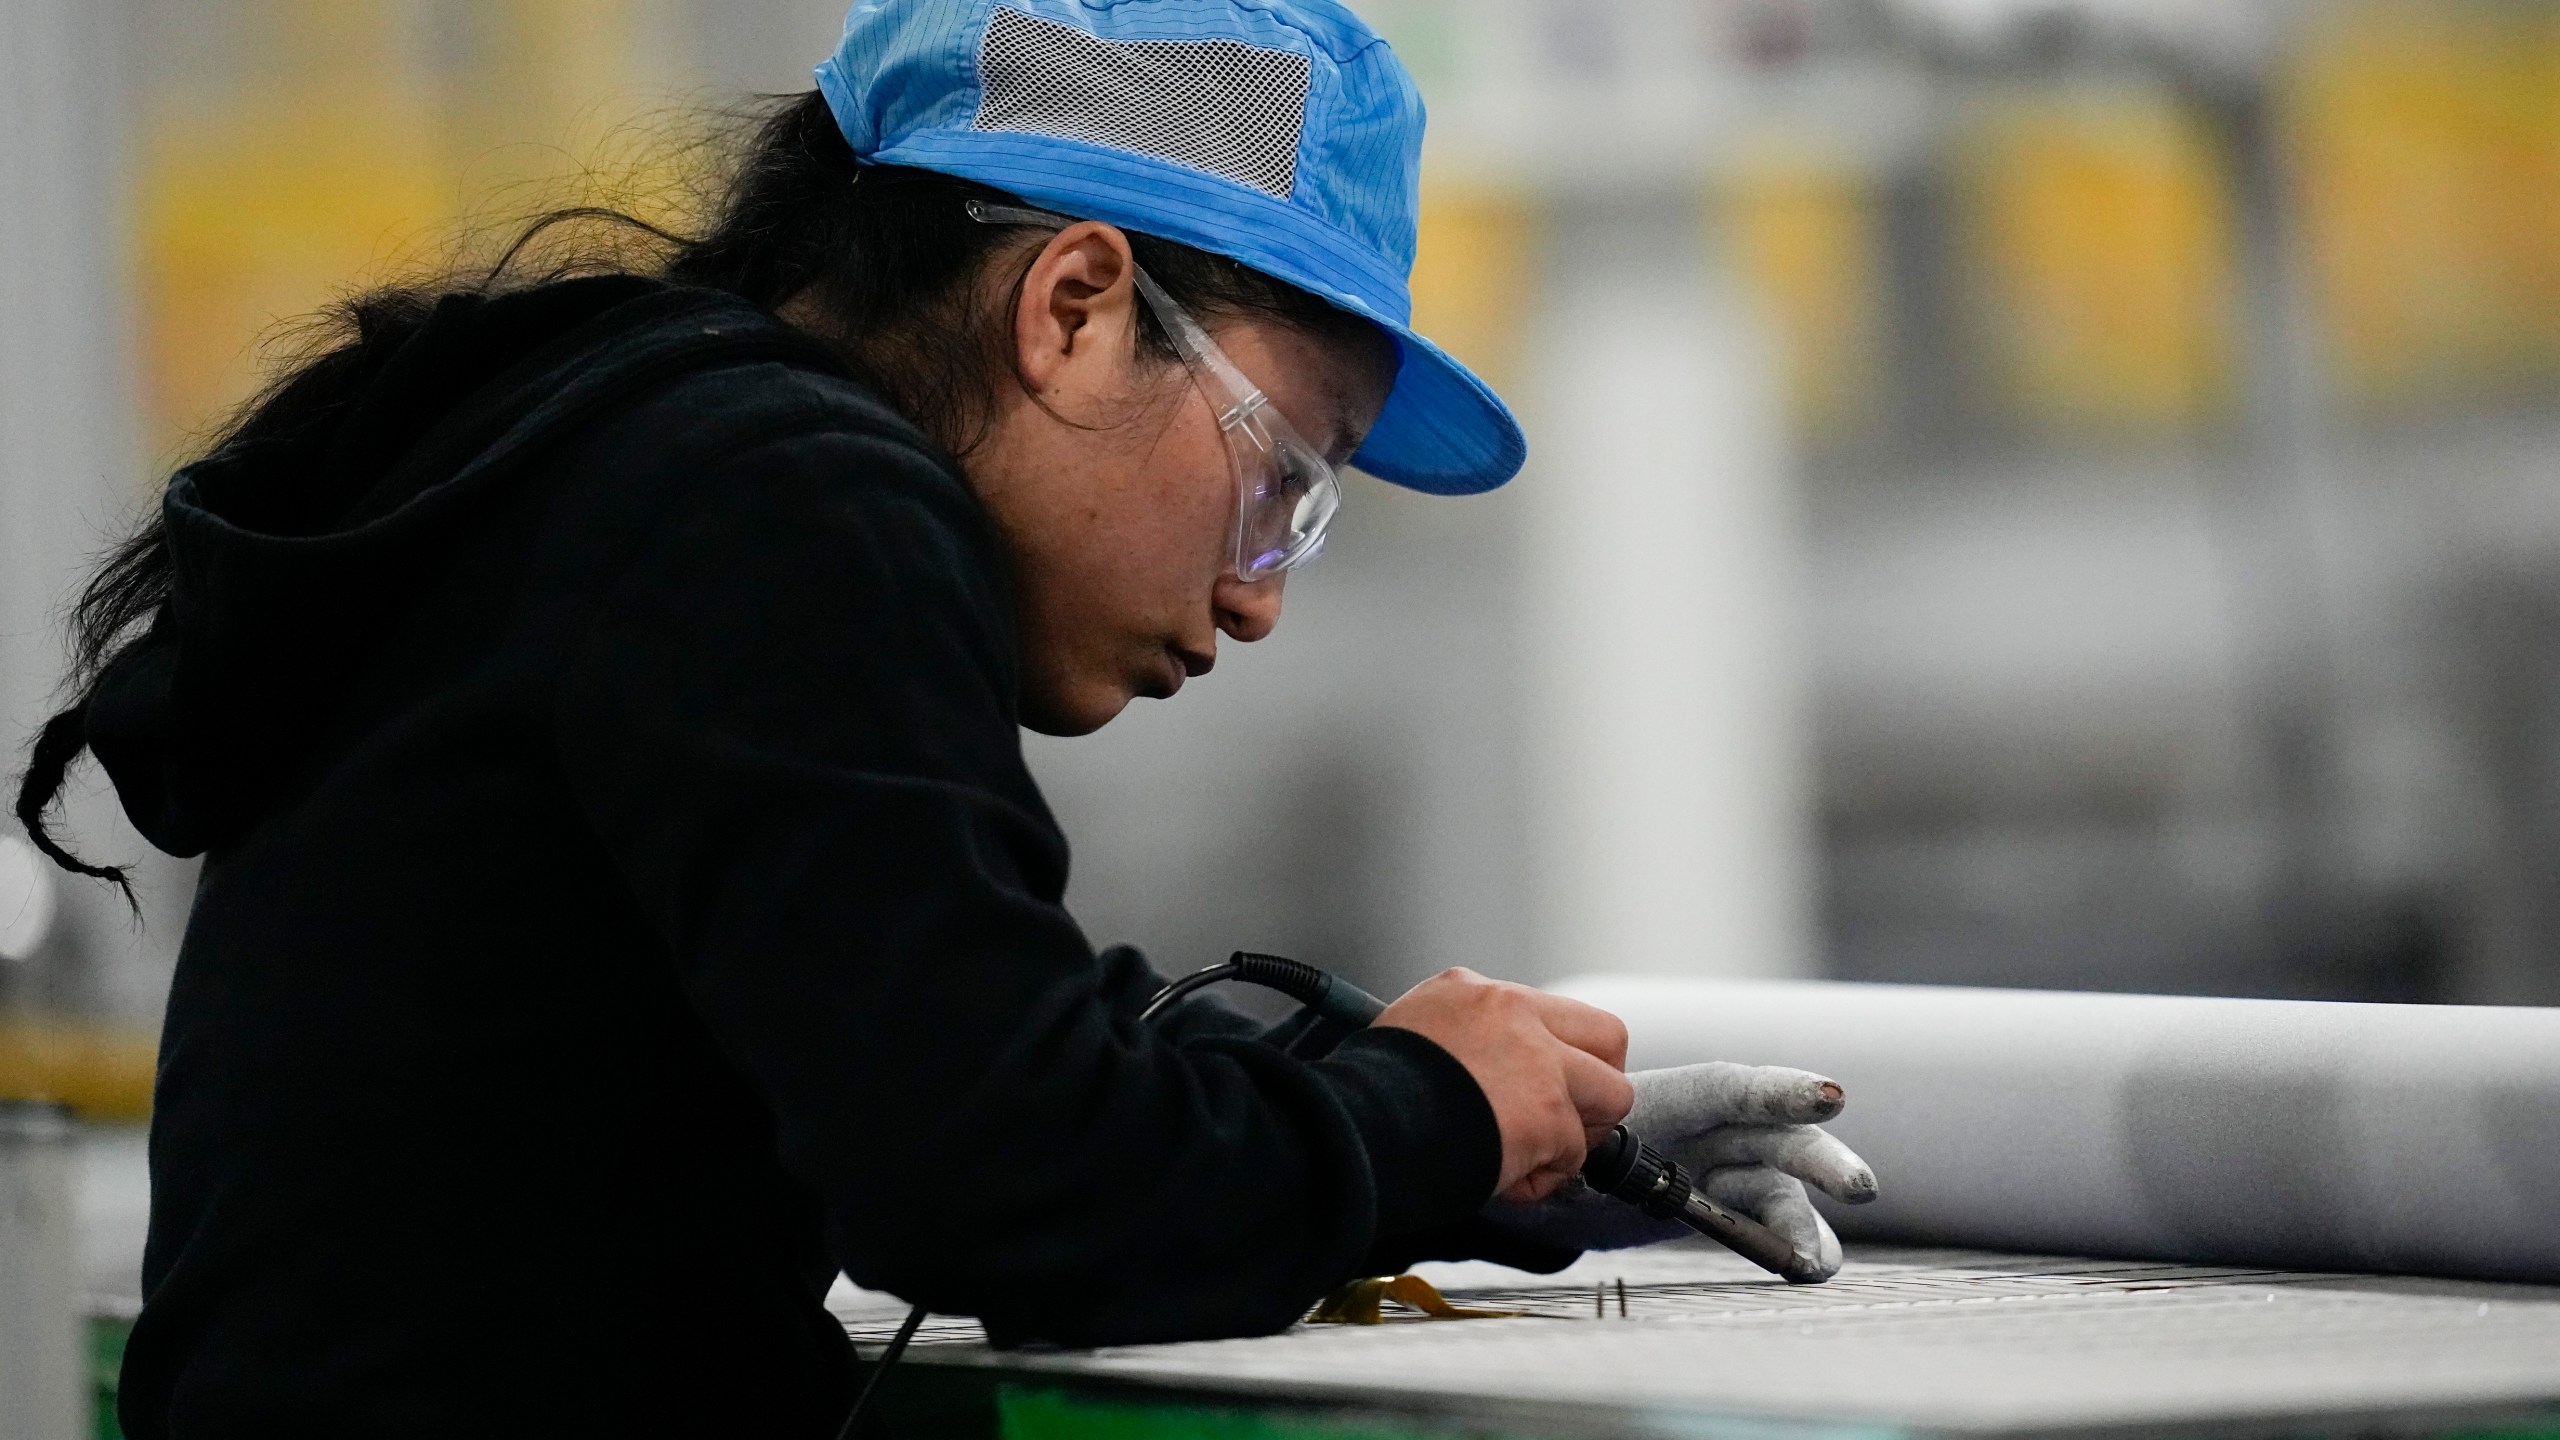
(1276, 132)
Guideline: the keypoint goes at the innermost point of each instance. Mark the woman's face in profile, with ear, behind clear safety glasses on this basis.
(1115, 493)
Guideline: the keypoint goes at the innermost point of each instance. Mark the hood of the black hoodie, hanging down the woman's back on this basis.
(296, 544)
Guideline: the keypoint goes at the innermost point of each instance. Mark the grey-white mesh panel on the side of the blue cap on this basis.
(1217, 106)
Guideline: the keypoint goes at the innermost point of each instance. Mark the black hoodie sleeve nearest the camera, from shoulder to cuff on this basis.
(792, 729)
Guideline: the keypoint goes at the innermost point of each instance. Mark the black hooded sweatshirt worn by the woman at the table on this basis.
(626, 906)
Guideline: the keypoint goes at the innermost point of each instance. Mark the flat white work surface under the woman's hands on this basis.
(1901, 1339)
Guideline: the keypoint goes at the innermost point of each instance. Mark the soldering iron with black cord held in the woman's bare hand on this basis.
(1619, 1167)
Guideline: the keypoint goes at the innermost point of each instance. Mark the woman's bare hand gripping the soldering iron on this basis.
(1553, 1070)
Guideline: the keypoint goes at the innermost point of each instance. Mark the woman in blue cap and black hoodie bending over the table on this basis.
(595, 688)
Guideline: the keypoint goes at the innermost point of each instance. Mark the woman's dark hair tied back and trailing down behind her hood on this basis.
(890, 258)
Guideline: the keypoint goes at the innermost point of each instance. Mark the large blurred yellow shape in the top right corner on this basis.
(2426, 145)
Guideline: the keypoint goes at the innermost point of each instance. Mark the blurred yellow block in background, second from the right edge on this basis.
(2098, 229)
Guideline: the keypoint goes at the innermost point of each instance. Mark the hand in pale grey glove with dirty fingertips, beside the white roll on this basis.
(1747, 1134)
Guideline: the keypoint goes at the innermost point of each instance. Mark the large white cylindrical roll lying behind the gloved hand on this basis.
(2231, 1131)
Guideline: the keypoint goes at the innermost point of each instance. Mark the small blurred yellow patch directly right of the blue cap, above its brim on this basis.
(1473, 275)
